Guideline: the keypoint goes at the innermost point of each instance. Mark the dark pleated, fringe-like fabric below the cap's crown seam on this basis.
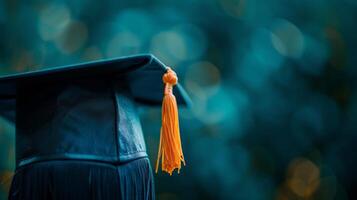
(76, 180)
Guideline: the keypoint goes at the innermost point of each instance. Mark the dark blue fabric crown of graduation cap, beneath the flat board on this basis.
(87, 119)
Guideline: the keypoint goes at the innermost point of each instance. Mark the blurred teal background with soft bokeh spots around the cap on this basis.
(273, 85)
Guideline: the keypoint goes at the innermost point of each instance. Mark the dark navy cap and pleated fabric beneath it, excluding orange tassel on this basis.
(69, 119)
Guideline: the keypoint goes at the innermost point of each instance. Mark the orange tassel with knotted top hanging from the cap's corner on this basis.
(170, 151)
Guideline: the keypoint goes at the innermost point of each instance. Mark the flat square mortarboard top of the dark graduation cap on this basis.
(143, 75)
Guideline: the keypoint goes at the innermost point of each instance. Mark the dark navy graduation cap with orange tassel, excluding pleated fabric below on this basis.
(88, 111)
